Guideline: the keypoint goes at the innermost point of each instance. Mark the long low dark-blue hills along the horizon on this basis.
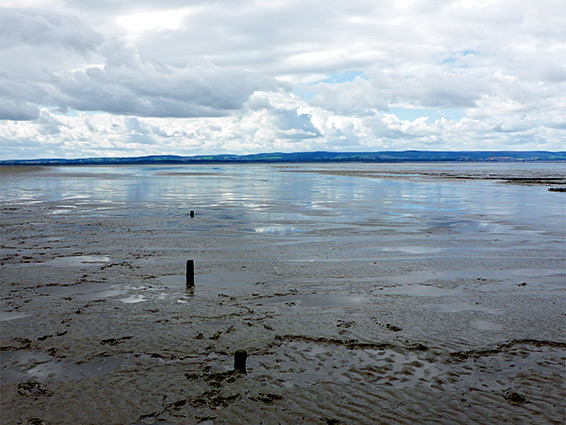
(405, 156)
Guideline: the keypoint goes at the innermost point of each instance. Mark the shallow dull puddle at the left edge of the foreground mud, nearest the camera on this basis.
(21, 365)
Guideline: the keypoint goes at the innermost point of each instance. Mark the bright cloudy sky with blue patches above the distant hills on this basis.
(92, 78)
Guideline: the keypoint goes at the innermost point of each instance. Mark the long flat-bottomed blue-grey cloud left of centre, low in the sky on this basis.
(144, 88)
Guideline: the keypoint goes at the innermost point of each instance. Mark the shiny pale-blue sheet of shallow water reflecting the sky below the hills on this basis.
(264, 197)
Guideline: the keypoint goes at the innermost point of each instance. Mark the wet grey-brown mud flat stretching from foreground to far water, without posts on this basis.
(358, 300)
